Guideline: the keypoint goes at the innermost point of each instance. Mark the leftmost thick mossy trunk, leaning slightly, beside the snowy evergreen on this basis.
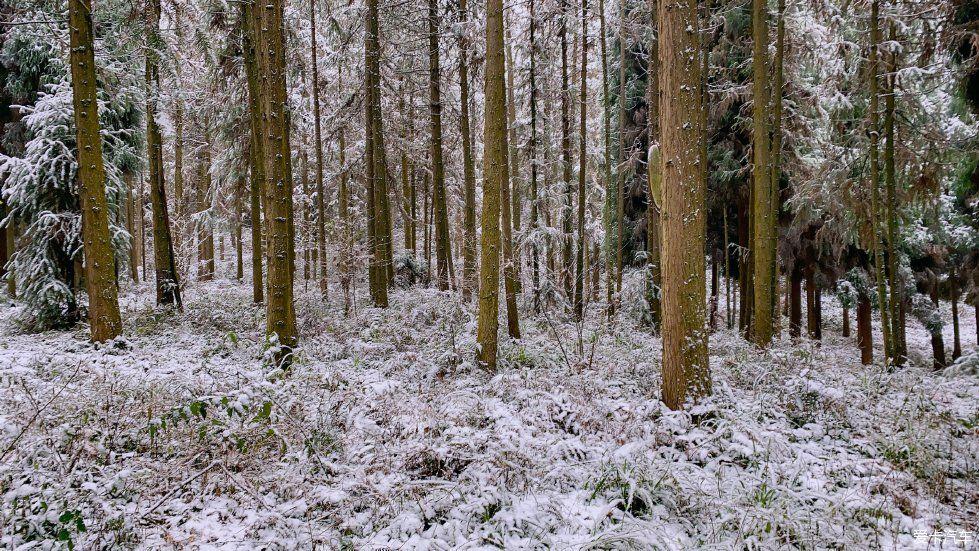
(100, 281)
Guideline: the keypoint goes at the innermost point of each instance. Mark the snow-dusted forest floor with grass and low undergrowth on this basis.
(384, 435)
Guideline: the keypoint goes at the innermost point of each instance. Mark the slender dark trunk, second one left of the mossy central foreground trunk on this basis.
(443, 248)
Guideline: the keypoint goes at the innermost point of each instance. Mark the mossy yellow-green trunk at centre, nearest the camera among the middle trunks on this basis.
(494, 178)
